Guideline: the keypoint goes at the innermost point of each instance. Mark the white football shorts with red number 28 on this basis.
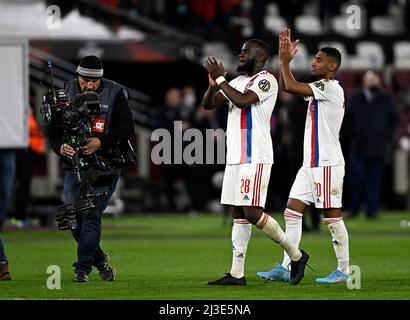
(246, 184)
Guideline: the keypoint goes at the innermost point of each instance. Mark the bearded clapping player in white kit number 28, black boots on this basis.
(251, 98)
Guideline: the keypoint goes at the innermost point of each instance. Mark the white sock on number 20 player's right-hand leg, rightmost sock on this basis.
(340, 240)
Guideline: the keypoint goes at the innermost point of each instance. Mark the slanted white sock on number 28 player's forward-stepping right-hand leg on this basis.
(273, 230)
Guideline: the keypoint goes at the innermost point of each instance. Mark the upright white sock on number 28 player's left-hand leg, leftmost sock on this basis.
(241, 234)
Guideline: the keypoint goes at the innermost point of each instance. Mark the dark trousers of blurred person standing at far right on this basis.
(365, 179)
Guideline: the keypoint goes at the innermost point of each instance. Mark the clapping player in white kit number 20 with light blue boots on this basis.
(320, 179)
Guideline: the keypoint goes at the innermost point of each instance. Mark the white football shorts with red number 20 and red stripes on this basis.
(322, 186)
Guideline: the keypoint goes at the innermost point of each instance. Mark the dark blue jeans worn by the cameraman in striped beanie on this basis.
(88, 232)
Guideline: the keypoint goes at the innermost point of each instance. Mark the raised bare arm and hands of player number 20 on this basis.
(287, 50)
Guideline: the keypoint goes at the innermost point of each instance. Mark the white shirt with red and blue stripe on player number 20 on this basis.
(323, 121)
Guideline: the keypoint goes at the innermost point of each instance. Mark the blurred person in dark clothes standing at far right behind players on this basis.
(370, 123)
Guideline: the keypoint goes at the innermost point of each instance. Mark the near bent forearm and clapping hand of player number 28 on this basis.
(241, 100)
